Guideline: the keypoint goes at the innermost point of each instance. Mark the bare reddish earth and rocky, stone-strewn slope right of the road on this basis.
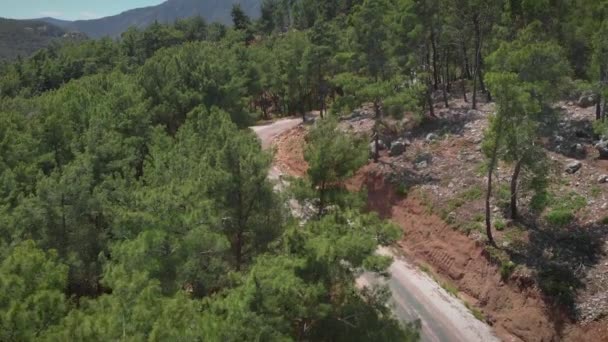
(440, 181)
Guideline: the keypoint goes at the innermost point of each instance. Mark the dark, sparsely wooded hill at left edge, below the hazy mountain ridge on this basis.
(24, 37)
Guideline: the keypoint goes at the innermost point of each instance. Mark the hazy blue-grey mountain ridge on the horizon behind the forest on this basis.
(167, 12)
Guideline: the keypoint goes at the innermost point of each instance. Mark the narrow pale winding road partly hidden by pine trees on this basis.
(416, 296)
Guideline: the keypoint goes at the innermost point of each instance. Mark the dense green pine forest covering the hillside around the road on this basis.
(134, 200)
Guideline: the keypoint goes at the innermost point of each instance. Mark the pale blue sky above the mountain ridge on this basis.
(68, 9)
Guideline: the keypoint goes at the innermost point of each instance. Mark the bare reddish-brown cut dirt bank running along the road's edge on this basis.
(515, 308)
